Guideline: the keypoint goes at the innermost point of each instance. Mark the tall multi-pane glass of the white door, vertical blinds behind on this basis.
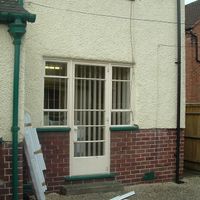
(89, 114)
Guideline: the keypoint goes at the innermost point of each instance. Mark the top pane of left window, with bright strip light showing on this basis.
(56, 69)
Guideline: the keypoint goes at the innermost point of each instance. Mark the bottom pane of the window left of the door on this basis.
(55, 118)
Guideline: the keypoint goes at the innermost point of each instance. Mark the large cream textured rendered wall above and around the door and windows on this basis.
(100, 31)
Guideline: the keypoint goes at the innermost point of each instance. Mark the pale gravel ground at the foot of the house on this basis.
(189, 190)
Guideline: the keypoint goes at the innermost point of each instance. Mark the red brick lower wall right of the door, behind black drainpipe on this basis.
(135, 153)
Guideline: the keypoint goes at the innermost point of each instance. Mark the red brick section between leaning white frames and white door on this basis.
(55, 147)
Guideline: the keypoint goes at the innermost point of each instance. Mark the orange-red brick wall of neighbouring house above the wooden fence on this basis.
(192, 68)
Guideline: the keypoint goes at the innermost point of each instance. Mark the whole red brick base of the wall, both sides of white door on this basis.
(133, 154)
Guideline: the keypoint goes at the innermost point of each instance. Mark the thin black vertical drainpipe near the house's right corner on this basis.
(178, 129)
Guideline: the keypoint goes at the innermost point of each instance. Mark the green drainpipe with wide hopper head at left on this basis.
(17, 30)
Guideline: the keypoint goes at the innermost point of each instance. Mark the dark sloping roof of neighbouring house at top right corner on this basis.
(192, 14)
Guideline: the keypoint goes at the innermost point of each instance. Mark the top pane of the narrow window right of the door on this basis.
(121, 73)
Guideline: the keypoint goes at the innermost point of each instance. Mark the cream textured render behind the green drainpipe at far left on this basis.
(6, 85)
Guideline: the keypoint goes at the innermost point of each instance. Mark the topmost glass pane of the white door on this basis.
(90, 71)
